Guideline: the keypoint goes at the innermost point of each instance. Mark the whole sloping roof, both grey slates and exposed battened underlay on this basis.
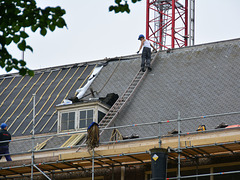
(195, 81)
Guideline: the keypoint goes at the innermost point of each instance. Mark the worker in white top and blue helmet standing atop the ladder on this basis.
(146, 53)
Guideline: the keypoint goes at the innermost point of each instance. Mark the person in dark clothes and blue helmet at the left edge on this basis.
(4, 146)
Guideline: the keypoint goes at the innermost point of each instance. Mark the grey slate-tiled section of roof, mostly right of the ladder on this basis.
(195, 81)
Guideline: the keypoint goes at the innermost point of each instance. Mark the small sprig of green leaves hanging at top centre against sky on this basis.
(121, 6)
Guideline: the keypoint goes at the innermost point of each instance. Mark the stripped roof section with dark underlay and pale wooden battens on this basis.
(51, 86)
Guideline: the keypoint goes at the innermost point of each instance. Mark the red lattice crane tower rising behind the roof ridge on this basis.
(167, 23)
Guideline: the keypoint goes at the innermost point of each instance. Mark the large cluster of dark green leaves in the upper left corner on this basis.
(15, 16)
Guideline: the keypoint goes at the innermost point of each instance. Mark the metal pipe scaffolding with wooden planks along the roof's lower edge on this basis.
(176, 153)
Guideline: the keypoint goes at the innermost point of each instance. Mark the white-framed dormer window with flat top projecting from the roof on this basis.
(79, 116)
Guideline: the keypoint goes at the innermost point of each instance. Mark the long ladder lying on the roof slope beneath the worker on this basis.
(121, 101)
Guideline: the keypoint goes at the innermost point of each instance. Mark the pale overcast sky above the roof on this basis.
(95, 33)
